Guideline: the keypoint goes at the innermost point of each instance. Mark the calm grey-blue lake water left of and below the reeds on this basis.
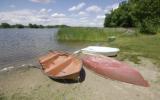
(24, 46)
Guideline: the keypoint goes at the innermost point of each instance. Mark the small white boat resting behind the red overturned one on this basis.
(107, 51)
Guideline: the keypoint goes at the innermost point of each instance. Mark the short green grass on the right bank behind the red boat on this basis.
(142, 45)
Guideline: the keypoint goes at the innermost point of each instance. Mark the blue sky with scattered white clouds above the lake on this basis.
(90, 13)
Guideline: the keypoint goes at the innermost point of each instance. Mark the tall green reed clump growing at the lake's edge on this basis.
(87, 34)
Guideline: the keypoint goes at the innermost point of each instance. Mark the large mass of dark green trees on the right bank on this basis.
(144, 14)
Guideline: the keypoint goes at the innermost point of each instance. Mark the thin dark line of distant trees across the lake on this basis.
(7, 25)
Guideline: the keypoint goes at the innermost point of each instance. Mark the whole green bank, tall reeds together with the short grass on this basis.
(131, 43)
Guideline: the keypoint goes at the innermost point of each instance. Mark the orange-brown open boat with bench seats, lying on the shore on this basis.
(60, 65)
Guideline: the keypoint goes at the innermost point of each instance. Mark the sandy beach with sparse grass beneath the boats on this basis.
(30, 83)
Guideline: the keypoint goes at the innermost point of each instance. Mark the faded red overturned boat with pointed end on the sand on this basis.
(114, 69)
